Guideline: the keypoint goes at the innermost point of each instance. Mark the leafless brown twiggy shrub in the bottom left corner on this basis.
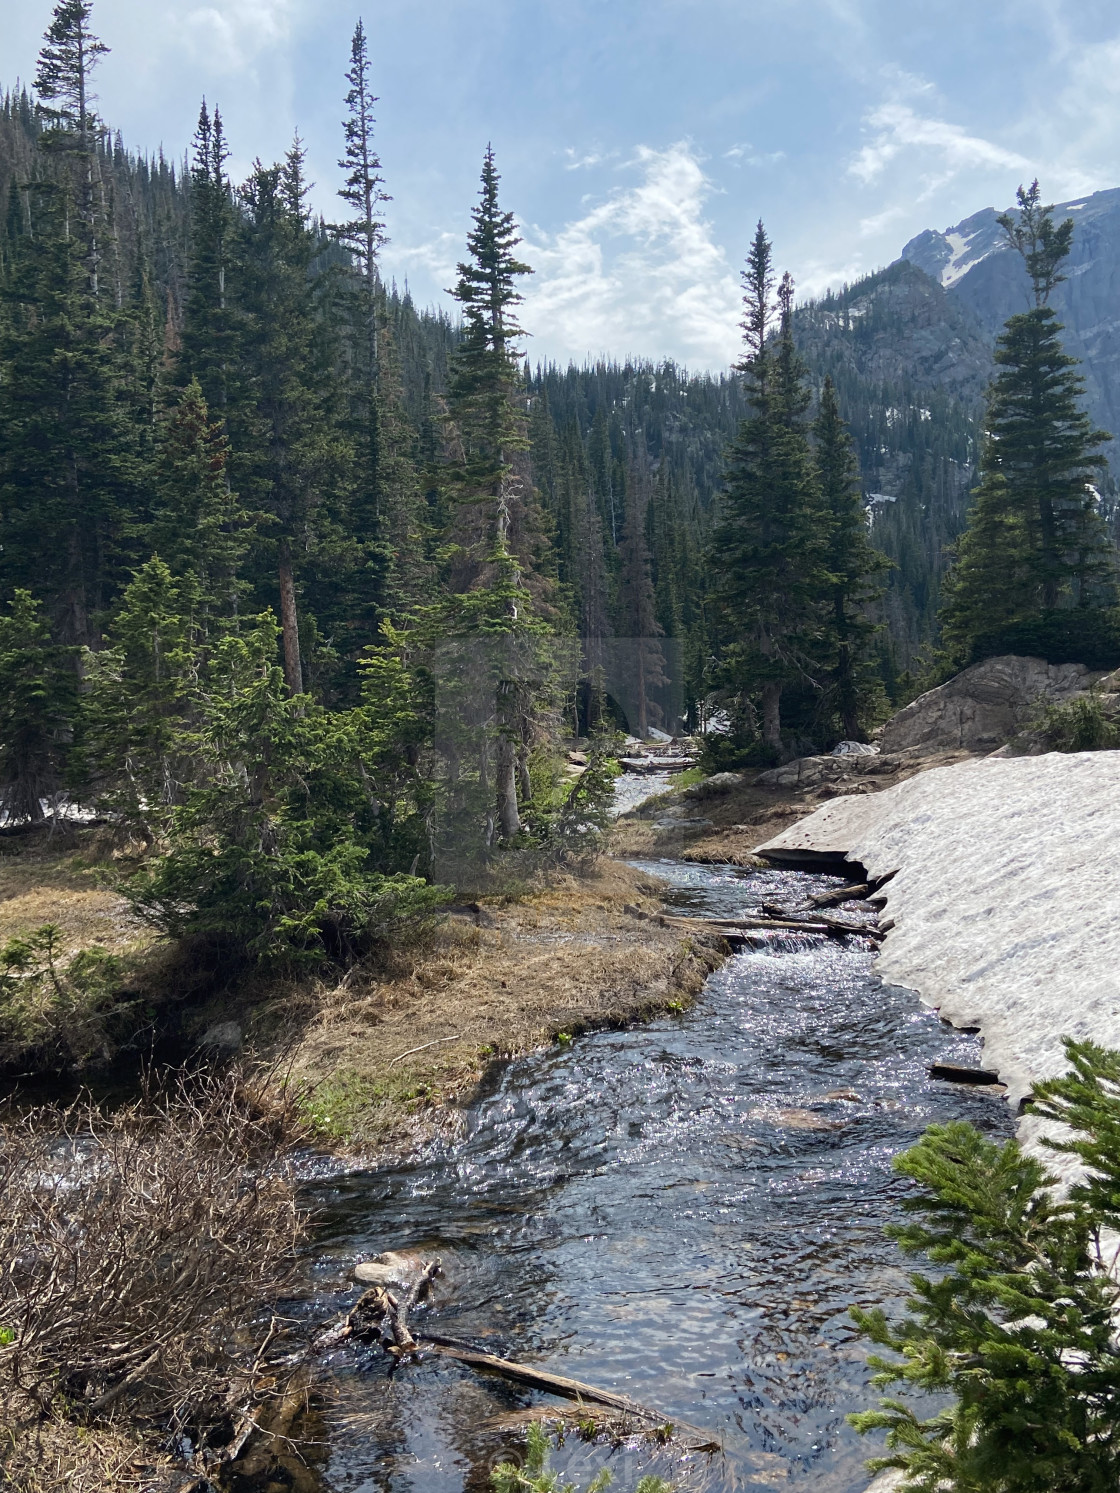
(143, 1253)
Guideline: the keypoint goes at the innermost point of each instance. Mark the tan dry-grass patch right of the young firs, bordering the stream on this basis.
(395, 1059)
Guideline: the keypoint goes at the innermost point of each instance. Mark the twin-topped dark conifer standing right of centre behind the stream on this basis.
(767, 550)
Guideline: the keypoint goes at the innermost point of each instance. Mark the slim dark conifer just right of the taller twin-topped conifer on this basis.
(855, 568)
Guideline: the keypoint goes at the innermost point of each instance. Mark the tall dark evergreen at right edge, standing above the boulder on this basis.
(1042, 459)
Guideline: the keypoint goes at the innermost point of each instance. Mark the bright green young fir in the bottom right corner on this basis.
(1019, 1322)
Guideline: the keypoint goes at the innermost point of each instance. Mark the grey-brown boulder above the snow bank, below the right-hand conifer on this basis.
(985, 707)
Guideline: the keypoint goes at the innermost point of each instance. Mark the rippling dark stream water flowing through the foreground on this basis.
(683, 1213)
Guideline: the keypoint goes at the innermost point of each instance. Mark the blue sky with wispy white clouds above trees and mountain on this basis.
(640, 143)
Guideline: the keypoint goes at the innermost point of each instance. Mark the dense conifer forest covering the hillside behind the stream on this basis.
(304, 583)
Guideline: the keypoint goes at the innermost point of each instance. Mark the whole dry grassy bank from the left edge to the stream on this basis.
(388, 1052)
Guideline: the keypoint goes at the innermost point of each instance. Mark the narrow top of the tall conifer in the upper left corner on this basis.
(63, 83)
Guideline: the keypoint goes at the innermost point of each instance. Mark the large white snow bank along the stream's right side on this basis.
(1007, 898)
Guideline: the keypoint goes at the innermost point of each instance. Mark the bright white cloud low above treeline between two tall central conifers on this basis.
(638, 274)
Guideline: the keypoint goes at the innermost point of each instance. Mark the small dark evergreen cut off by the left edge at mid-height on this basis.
(38, 708)
